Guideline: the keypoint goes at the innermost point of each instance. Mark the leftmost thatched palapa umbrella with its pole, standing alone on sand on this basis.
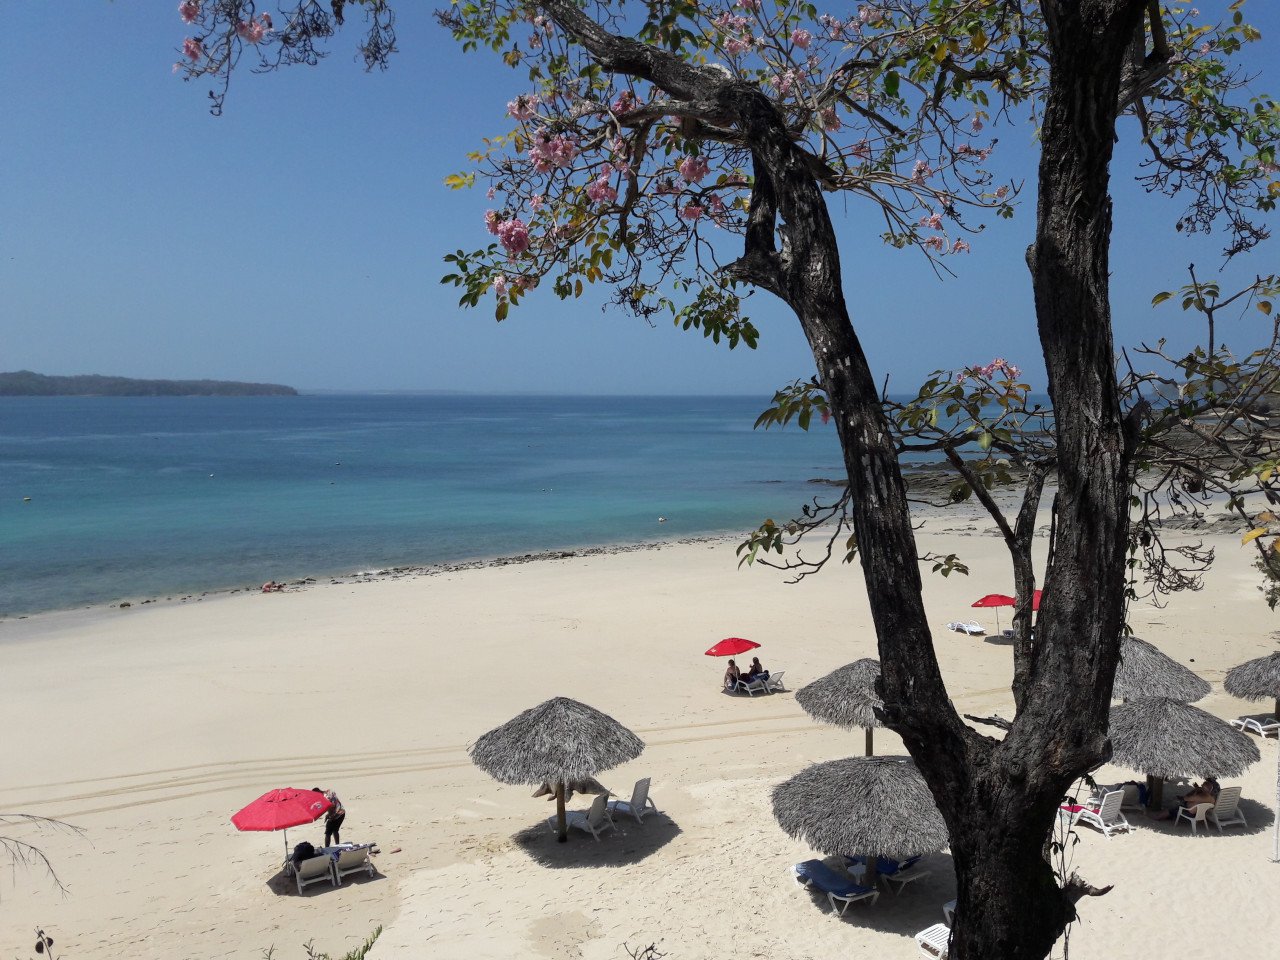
(557, 742)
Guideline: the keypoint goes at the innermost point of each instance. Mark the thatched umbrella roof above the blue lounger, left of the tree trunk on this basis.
(862, 806)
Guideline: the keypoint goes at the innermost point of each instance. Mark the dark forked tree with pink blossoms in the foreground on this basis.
(657, 136)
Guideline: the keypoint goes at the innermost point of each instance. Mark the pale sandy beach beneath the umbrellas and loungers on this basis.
(149, 726)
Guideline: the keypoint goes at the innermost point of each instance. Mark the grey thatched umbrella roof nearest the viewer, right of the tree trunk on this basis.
(1165, 738)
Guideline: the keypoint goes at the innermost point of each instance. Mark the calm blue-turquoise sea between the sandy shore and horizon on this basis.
(159, 496)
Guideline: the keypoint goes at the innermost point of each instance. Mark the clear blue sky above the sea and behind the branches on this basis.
(299, 239)
